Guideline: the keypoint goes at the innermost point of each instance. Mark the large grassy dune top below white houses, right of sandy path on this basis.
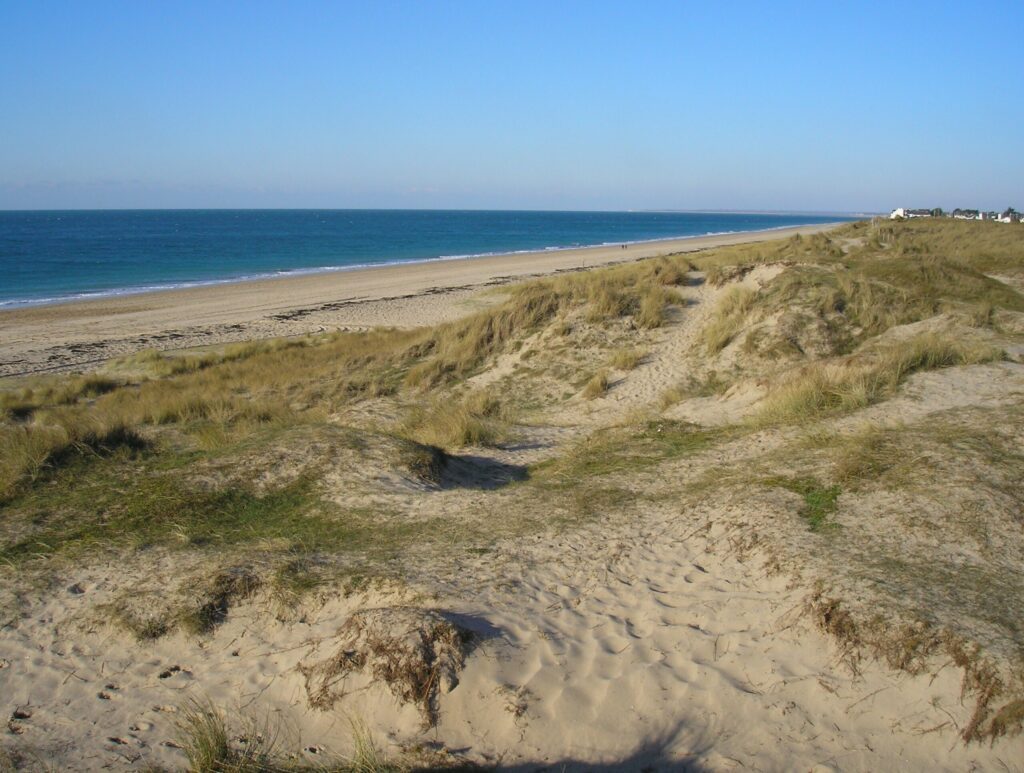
(864, 279)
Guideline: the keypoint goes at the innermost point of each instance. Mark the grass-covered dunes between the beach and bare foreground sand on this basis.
(185, 454)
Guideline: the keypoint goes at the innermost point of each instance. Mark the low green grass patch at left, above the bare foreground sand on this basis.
(110, 505)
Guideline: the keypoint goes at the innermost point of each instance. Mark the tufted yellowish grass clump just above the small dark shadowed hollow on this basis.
(480, 419)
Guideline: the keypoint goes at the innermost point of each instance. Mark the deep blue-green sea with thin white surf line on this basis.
(58, 256)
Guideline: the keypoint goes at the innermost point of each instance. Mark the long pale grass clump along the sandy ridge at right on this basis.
(856, 382)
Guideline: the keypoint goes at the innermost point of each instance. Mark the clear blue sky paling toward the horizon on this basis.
(568, 106)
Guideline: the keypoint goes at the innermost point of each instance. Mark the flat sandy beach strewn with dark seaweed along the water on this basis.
(82, 333)
